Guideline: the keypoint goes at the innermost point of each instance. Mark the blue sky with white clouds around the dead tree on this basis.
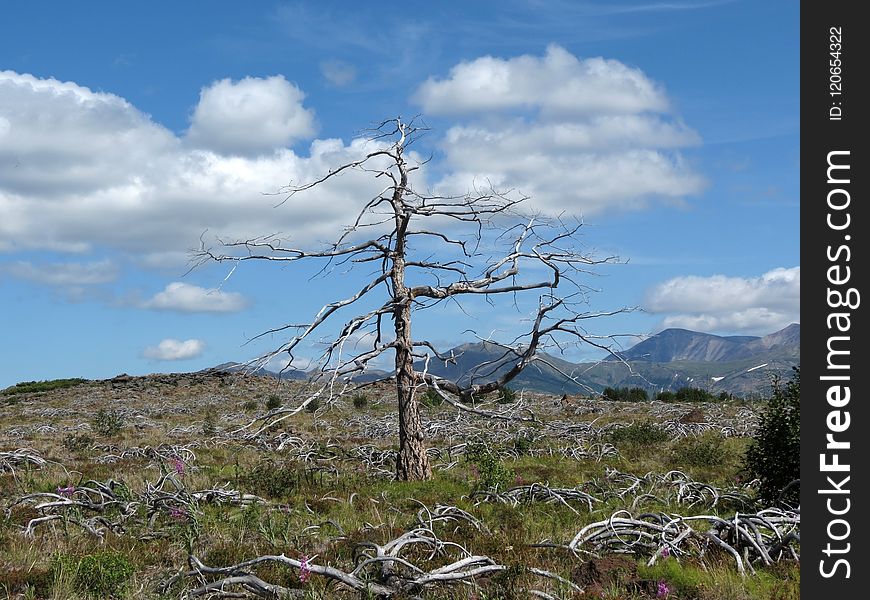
(126, 132)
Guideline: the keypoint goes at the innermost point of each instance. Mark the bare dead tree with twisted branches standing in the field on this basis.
(415, 277)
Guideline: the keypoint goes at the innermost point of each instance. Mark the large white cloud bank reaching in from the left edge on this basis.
(81, 170)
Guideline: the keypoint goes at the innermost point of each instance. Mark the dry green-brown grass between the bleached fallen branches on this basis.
(321, 499)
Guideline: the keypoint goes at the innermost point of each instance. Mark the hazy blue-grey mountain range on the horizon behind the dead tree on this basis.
(668, 360)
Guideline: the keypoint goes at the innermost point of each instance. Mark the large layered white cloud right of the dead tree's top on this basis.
(577, 135)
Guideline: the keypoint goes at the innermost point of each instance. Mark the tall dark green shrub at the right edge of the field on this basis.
(773, 455)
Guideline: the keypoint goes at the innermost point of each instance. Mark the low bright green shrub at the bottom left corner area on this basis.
(102, 575)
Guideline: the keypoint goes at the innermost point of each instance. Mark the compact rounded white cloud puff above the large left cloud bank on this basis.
(250, 117)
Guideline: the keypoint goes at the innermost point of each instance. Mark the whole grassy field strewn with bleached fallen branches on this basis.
(147, 488)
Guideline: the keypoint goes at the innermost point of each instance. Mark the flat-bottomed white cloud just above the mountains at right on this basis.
(737, 304)
